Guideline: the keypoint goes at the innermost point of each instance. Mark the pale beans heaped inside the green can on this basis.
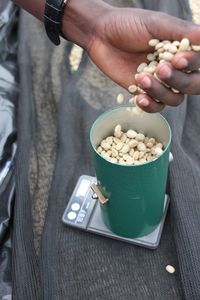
(130, 147)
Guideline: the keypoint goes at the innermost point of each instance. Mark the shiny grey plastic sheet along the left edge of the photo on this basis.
(8, 98)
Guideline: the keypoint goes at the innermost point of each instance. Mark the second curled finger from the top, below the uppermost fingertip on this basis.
(185, 83)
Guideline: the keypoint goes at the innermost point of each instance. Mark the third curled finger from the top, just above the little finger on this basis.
(156, 90)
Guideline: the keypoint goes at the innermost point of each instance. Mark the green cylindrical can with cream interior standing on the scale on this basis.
(135, 193)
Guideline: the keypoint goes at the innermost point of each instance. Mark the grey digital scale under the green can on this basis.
(83, 212)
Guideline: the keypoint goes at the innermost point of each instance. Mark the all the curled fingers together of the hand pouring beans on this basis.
(155, 90)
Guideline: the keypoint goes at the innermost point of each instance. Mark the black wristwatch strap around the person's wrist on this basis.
(52, 19)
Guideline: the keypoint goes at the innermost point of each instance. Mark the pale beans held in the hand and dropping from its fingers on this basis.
(163, 51)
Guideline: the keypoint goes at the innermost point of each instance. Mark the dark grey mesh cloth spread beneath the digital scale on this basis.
(56, 109)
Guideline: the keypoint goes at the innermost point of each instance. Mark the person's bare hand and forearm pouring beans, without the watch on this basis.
(117, 41)
